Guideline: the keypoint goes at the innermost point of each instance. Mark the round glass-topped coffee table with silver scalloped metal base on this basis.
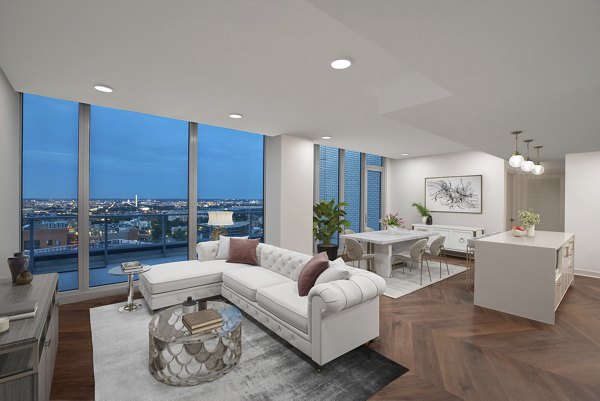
(179, 358)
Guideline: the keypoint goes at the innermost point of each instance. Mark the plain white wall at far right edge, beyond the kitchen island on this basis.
(582, 210)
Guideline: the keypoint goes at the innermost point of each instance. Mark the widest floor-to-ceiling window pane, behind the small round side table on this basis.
(138, 190)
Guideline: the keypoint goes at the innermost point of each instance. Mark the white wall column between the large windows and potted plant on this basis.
(289, 165)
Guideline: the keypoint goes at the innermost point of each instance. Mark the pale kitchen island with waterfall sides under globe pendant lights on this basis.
(524, 276)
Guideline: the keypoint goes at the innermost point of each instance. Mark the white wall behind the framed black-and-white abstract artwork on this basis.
(406, 184)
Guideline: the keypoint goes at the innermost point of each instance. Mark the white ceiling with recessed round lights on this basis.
(428, 77)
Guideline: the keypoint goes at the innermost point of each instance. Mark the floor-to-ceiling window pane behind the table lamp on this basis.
(230, 178)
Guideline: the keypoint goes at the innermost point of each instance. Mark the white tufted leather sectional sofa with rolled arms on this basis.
(333, 319)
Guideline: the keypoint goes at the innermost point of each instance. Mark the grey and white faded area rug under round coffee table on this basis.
(270, 369)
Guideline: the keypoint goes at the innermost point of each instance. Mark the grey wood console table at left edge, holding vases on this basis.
(28, 348)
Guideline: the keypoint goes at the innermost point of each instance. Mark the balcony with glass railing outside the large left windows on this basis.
(152, 238)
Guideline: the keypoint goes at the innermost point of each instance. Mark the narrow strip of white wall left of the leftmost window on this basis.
(9, 173)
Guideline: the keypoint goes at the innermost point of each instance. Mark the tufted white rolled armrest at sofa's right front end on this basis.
(344, 294)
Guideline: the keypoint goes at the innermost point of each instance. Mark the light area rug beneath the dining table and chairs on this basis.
(401, 284)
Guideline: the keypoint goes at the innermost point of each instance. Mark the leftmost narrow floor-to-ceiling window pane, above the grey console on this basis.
(50, 163)
